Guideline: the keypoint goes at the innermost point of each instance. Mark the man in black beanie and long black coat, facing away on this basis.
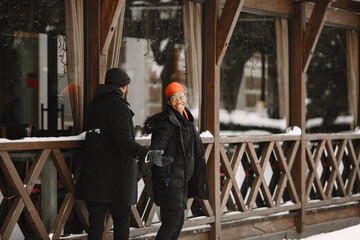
(108, 178)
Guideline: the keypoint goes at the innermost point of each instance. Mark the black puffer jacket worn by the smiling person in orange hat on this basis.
(170, 185)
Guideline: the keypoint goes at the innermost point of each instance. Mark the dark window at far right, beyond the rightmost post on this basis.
(327, 85)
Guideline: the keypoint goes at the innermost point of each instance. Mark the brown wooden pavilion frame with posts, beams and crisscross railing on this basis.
(297, 156)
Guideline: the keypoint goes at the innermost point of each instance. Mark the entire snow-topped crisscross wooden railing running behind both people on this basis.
(256, 181)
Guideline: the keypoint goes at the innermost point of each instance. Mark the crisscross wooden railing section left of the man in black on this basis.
(22, 184)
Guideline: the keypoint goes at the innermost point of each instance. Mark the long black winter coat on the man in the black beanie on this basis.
(109, 172)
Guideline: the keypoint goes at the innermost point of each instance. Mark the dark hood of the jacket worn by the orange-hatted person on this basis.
(168, 114)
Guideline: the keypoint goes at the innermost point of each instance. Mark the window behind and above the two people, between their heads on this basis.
(152, 54)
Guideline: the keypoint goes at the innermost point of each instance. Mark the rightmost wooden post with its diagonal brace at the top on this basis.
(305, 40)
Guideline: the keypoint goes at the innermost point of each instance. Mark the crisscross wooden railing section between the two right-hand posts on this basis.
(257, 175)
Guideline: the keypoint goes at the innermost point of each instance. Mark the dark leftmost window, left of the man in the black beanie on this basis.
(32, 63)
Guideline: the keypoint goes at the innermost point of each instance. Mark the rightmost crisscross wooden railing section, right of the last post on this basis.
(333, 174)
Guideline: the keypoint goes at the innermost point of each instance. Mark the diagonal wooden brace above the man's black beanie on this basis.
(110, 13)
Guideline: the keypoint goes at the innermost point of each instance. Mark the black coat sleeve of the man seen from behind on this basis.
(120, 122)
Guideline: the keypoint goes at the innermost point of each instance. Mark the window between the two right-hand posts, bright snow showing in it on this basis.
(254, 77)
